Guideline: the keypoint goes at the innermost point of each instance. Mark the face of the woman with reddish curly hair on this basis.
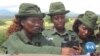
(32, 24)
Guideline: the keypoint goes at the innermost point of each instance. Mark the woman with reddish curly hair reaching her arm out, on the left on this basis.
(25, 33)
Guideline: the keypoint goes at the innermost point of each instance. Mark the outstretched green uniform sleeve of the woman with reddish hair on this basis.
(15, 45)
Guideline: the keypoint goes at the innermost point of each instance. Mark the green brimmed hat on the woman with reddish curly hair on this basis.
(28, 9)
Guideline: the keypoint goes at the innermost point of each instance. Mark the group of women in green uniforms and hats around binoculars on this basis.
(28, 35)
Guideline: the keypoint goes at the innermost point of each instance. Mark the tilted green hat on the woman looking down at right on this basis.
(89, 19)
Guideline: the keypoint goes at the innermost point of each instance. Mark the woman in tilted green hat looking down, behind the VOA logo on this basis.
(84, 26)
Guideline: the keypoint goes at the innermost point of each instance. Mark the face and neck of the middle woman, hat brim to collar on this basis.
(59, 22)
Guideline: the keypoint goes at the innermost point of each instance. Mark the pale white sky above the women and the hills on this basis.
(76, 6)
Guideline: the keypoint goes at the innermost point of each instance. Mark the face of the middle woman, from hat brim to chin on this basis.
(58, 21)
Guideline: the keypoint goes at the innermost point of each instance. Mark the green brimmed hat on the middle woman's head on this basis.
(57, 8)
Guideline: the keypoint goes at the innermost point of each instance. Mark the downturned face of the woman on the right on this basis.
(84, 31)
